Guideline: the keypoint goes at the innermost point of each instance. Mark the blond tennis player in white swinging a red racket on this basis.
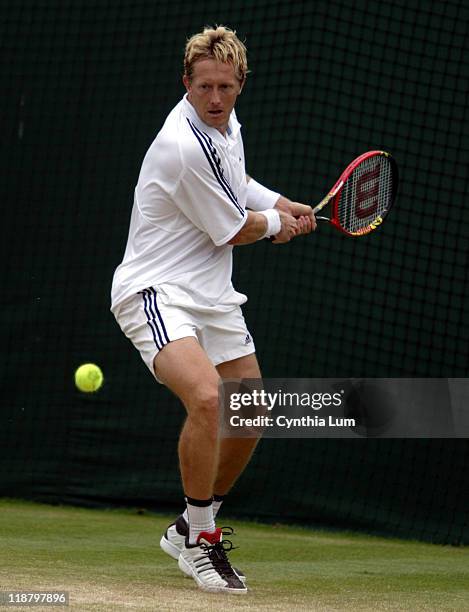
(172, 294)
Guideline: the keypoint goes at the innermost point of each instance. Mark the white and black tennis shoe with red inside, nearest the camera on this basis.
(207, 562)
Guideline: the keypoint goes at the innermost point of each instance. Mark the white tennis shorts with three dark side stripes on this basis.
(150, 324)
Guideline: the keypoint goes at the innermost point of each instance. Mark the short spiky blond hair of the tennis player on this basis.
(219, 43)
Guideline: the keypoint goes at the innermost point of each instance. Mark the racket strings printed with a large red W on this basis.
(366, 195)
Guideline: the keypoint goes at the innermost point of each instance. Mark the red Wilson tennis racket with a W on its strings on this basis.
(364, 194)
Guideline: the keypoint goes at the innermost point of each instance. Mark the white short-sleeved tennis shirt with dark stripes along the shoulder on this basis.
(189, 201)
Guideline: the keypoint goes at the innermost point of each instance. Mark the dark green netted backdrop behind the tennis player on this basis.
(86, 86)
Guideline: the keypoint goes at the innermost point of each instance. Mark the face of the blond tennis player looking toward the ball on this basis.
(213, 91)
